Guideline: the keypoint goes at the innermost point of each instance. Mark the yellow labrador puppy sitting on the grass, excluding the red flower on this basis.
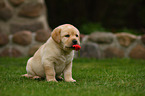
(55, 56)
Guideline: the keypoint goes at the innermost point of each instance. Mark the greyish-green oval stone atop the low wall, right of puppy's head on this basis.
(101, 37)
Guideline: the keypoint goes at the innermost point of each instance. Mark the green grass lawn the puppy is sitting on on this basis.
(109, 77)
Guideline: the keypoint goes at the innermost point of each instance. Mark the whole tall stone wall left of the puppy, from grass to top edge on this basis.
(21, 22)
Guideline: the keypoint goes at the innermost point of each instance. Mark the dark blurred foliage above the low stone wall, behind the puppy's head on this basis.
(98, 15)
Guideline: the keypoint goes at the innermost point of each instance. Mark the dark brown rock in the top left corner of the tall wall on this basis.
(5, 11)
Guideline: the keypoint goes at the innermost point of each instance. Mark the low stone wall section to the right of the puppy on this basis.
(108, 45)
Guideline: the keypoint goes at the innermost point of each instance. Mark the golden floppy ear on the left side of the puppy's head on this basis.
(56, 34)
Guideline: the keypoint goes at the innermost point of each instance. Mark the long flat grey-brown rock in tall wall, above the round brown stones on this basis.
(35, 26)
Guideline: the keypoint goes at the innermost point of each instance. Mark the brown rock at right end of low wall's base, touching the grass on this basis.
(138, 52)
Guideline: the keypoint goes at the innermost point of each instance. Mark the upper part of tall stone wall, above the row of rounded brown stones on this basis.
(19, 15)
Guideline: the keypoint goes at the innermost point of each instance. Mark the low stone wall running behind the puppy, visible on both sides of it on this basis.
(97, 45)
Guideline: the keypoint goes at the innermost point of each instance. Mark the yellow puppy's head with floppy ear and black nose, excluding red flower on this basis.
(66, 36)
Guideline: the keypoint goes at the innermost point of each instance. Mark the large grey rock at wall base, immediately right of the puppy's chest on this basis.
(90, 50)
